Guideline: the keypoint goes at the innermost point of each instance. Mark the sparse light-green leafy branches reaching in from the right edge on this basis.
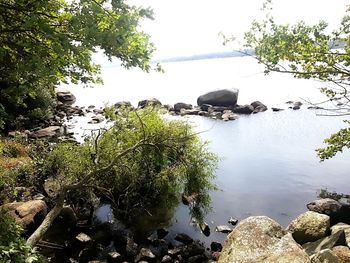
(309, 52)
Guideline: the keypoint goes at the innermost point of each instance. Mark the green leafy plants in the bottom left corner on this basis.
(12, 246)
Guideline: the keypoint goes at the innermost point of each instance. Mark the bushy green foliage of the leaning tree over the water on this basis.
(169, 159)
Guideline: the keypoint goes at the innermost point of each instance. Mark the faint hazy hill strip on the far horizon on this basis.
(216, 55)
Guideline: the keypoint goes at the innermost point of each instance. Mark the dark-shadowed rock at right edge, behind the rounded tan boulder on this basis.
(337, 211)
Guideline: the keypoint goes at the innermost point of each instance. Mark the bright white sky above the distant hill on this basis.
(187, 27)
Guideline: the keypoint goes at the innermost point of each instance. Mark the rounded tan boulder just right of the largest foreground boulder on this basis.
(309, 227)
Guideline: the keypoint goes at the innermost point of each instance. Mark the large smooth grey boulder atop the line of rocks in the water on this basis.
(222, 97)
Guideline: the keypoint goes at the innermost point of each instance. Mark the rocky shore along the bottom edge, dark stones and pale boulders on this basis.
(319, 235)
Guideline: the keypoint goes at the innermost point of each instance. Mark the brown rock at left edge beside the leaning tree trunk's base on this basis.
(29, 214)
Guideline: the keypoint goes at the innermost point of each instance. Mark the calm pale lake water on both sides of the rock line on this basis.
(268, 162)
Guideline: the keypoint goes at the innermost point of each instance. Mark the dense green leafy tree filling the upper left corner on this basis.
(45, 42)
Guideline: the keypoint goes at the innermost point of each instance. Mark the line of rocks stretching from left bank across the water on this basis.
(218, 105)
